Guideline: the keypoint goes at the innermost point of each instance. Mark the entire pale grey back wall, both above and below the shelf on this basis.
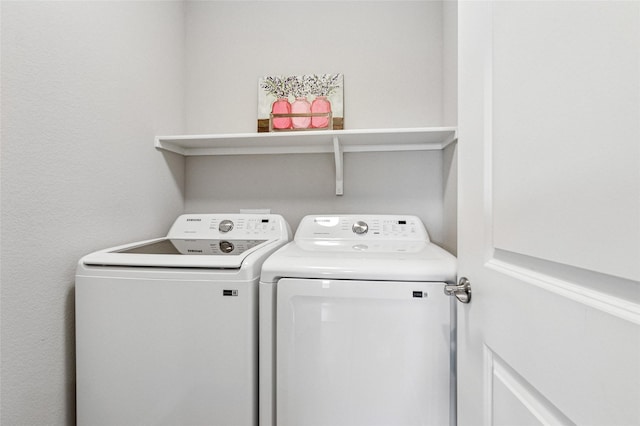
(391, 55)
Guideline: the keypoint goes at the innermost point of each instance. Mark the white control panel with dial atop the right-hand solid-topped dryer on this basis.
(366, 227)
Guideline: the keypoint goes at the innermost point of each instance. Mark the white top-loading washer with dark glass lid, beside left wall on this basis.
(166, 329)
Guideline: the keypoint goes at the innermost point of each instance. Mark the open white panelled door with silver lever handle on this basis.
(549, 225)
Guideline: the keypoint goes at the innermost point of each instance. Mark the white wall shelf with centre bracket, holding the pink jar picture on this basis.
(309, 142)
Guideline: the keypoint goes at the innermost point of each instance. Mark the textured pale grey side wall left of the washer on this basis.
(85, 87)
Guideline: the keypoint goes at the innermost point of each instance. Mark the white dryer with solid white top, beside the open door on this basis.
(355, 328)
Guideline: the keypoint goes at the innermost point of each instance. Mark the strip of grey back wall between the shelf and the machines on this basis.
(295, 185)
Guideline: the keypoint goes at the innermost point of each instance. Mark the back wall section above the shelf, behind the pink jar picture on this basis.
(389, 51)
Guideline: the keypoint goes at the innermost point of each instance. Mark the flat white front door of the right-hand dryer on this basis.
(362, 353)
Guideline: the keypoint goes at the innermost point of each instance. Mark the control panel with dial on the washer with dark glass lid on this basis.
(229, 226)
